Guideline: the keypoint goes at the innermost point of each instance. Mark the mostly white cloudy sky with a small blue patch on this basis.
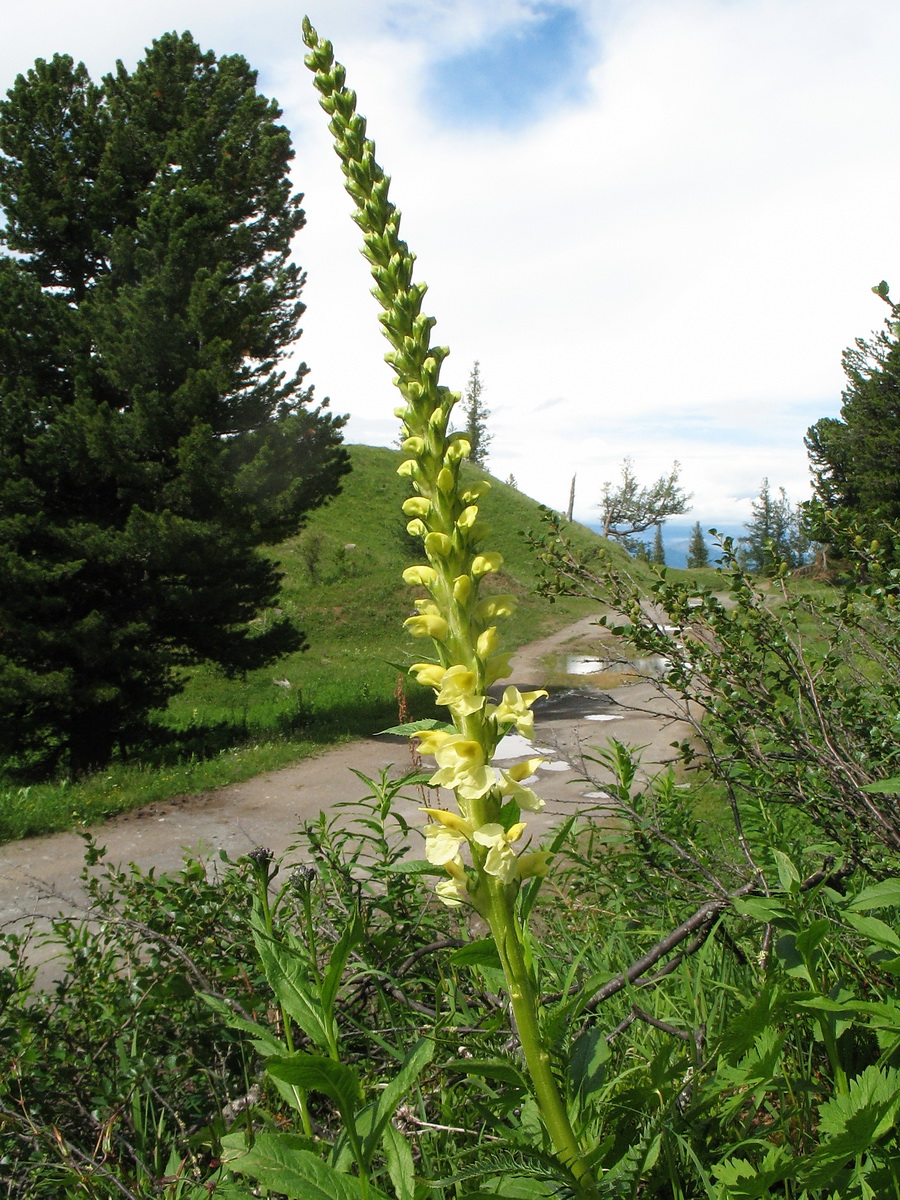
(656, 224)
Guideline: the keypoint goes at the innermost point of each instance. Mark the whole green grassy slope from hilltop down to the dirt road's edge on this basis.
(352, 604)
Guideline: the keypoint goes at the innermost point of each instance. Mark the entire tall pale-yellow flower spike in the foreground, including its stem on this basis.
(445, 514)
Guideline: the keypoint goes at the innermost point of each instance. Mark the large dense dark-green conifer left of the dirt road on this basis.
(151, 443)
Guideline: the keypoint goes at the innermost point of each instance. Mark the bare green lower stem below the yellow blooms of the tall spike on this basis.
(505, 927)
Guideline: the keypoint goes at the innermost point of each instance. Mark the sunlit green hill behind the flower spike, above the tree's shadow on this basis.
(344, 587)
